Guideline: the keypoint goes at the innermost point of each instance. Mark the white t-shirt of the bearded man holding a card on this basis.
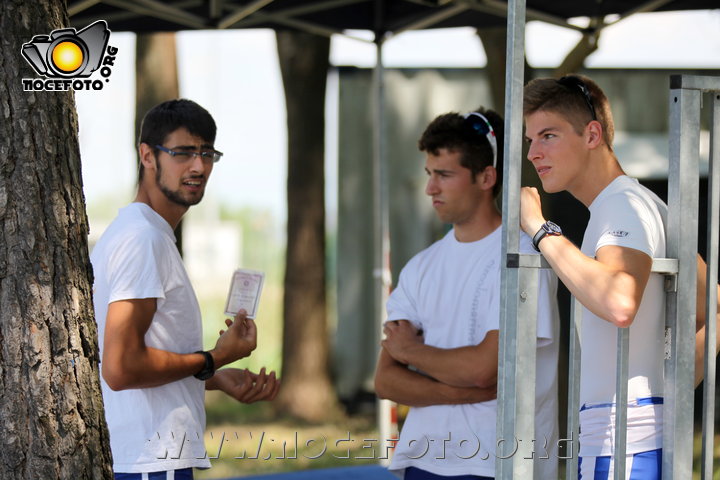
(159, 428)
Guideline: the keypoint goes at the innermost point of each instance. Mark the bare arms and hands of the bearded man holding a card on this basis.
(129, 363)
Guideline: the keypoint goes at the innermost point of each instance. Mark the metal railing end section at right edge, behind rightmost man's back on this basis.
(686, 98)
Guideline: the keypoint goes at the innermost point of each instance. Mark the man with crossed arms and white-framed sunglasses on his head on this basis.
(440, 355)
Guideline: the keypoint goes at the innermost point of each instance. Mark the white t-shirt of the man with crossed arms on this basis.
(451, 291)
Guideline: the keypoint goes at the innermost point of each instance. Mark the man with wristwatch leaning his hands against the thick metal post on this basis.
(569, 128)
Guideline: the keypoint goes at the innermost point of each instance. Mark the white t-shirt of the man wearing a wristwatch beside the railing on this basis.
(624, 214)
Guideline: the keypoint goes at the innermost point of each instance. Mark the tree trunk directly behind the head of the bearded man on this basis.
(156, 81)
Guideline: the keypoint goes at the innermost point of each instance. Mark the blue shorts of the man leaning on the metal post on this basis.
(640, 466)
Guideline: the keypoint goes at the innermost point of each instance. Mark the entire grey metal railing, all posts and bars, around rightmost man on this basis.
(516, 399)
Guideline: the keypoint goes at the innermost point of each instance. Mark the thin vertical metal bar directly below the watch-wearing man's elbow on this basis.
(621, 393)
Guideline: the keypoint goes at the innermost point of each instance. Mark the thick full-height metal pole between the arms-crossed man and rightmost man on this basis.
(516, 365)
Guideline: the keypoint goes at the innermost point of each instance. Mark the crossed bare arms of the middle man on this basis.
(450, 376)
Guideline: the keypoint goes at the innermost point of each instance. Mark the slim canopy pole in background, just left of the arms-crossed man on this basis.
(381, 261)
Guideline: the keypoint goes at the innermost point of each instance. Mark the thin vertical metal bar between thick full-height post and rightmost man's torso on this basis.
(573, 426)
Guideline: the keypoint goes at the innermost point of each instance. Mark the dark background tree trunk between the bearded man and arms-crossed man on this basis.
(307, 391)
